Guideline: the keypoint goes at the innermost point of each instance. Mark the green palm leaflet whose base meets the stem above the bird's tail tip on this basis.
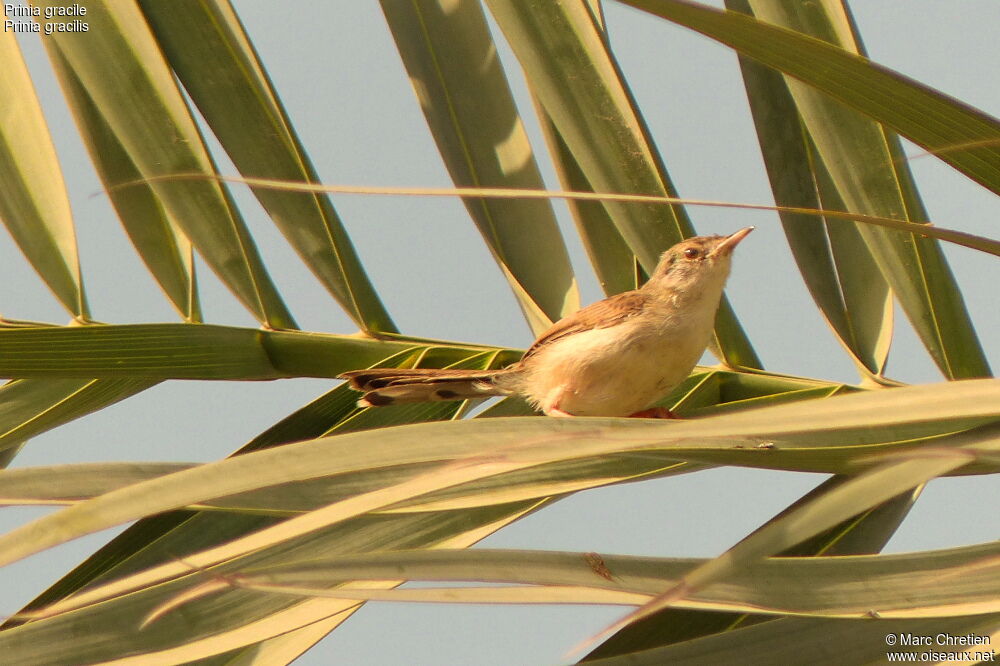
(208, 49)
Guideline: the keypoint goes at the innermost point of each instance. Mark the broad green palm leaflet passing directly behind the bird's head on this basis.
(573, 75)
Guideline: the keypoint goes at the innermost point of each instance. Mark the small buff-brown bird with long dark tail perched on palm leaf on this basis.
(615, 357)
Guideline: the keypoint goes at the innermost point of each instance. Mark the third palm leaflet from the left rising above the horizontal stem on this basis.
(147, 114)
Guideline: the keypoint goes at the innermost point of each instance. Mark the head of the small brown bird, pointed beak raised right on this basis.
(697, 263)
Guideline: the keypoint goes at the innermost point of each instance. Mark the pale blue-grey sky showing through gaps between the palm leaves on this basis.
(337, 71)
